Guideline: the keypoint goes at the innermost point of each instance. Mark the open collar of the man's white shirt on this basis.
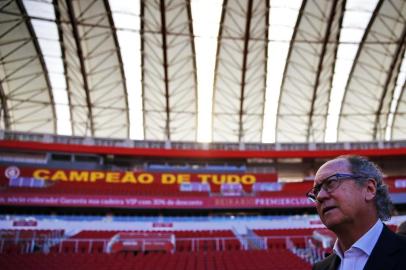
(366, 243)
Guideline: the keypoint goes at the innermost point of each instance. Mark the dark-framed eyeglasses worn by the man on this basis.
(330, 184)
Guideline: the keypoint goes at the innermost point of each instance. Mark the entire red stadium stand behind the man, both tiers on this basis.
(69, 211)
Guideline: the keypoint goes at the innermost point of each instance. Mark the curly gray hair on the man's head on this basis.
(364, 167)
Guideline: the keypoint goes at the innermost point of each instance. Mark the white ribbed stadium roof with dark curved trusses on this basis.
(205, 70)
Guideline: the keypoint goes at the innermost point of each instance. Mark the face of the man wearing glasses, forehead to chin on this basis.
(343, 205)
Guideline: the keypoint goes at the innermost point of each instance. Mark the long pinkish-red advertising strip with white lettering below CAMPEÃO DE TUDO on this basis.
(152, 202)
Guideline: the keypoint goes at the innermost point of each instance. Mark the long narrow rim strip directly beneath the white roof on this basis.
(127, 143)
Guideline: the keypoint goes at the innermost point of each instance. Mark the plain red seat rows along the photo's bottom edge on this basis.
(229, 260)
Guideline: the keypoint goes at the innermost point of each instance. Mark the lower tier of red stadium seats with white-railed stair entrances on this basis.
(293, 248)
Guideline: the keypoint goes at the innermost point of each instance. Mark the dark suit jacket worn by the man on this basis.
(389, 253)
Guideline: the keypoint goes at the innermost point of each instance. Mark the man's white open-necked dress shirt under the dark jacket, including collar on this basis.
(357, 255)
